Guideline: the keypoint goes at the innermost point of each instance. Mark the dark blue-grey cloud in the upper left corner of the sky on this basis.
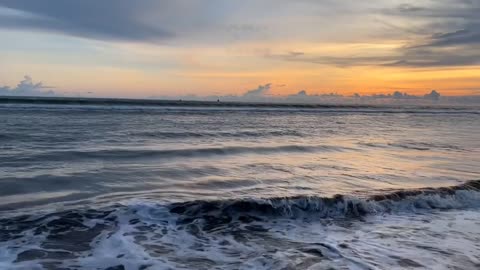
(106, 19)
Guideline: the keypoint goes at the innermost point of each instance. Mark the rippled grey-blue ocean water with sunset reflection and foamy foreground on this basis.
(177, 187)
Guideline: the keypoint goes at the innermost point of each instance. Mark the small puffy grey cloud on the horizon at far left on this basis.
(26, 87)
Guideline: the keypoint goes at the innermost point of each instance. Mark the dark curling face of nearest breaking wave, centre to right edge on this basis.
(456, 197)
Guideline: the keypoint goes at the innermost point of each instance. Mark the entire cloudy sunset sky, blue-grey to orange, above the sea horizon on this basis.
(158, 48)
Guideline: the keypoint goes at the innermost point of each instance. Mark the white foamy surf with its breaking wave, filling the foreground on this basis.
(431, 231)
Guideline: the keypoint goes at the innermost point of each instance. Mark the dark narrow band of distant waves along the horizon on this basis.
(141, 104)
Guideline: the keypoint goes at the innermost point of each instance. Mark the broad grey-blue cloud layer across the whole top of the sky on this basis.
(432, 33)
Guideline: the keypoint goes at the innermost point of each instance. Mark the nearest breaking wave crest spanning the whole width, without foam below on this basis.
(215, 212)
